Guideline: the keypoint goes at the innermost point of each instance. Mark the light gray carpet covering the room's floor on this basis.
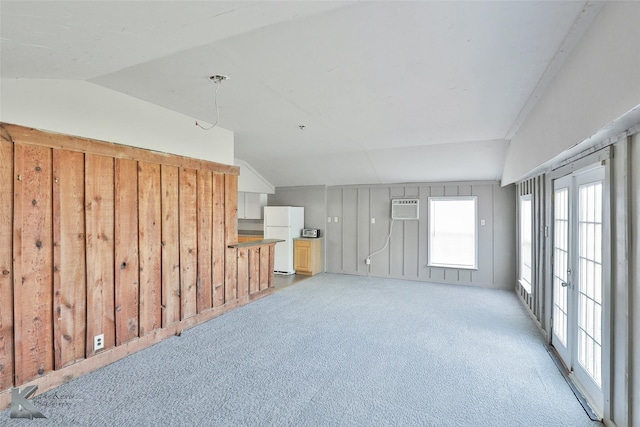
(335, 350)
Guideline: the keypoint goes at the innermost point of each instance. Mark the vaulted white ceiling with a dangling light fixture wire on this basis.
(389, 91)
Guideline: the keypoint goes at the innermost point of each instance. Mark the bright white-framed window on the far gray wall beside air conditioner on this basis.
(453, 232)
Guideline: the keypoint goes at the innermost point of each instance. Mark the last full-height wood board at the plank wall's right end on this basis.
(231, 235)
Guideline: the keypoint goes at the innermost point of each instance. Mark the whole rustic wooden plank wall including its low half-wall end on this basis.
(97, 238)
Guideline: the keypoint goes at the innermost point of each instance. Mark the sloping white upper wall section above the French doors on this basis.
(597, 84)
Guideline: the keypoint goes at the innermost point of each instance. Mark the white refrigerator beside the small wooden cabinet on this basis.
(283, 223)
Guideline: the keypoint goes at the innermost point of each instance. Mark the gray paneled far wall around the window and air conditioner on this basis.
(350, 239)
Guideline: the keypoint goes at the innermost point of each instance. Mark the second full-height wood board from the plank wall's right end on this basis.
(218, 241)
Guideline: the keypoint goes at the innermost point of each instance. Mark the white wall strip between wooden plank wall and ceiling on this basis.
(84, 109)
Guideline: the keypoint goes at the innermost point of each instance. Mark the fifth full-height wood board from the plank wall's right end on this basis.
(170, 246)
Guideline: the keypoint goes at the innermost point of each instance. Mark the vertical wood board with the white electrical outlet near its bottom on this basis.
(100, 239)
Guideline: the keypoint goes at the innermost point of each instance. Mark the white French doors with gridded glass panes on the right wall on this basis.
(578, 278)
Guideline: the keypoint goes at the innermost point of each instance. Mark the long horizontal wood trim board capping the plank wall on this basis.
(91, 146)
